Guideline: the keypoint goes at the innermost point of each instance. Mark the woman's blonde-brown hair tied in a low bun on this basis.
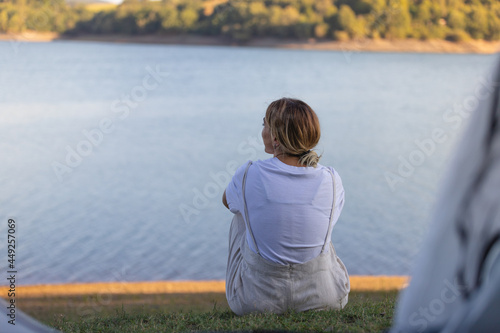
(295, 126)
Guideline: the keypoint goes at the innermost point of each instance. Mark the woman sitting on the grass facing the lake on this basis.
(280, 253)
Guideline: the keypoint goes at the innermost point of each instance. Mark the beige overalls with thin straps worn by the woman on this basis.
(254, 284)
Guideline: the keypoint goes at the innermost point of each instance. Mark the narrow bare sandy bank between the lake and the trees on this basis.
(349, 47)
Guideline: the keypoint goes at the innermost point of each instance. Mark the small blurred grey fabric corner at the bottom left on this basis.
(23, 322)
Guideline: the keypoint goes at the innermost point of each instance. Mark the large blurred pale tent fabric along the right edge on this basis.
(455, 283)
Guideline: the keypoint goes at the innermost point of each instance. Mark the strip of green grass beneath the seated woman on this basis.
(365, 312)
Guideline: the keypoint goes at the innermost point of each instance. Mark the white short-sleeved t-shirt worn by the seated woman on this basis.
(289, 208)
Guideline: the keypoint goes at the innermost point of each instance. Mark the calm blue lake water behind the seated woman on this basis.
(114, 156)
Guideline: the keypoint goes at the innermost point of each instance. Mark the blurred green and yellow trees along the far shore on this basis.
(242, 20)
